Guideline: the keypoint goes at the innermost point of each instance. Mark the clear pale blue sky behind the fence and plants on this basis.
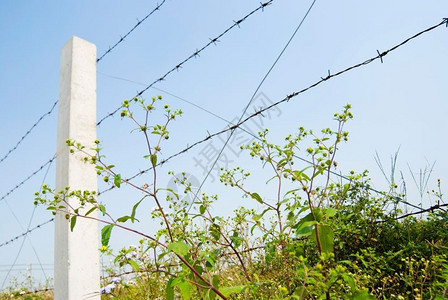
(400, 103)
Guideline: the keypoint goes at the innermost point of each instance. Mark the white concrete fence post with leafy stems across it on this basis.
(76, 260)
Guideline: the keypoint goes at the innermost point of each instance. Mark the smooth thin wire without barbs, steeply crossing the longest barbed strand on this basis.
(250, 102)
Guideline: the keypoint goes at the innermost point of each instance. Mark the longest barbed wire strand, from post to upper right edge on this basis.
(285, 99)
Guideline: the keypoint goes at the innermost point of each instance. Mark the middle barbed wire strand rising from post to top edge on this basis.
(196, 53)
